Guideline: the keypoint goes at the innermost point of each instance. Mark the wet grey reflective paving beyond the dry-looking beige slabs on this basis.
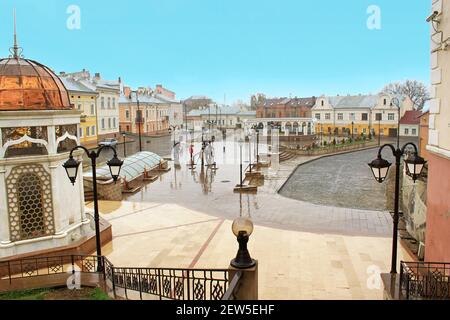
(211, 192)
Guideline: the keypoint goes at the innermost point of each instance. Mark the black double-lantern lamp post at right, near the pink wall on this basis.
(380, 168)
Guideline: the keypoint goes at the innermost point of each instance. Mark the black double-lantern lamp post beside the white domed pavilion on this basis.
(72, 166)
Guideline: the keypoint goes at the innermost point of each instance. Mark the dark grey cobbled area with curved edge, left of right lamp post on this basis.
(341, 180)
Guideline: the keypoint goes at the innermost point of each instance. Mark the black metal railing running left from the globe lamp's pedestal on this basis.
(164, 283)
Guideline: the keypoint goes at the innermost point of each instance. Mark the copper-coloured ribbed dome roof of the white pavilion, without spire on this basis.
(28, 85)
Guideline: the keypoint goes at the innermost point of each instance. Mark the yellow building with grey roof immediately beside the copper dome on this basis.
(84, 99)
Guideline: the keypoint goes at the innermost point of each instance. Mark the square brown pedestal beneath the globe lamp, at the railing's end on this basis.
(248, 288)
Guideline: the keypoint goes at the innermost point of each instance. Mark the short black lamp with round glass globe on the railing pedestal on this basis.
(242, 229)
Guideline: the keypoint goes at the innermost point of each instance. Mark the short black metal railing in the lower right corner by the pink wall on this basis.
(425, 280)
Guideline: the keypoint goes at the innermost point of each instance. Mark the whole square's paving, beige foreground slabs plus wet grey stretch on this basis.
(304, 250)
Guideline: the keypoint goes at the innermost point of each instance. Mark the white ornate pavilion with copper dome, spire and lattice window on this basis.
(39, 208)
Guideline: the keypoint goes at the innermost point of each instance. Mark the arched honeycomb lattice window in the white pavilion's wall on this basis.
(31, 213)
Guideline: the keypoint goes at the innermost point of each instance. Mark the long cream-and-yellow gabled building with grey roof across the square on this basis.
(375, 114)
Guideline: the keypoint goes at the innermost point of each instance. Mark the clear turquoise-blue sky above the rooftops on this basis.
(233, 47)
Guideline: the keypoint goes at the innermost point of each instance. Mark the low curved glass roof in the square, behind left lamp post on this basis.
(132, 167)
